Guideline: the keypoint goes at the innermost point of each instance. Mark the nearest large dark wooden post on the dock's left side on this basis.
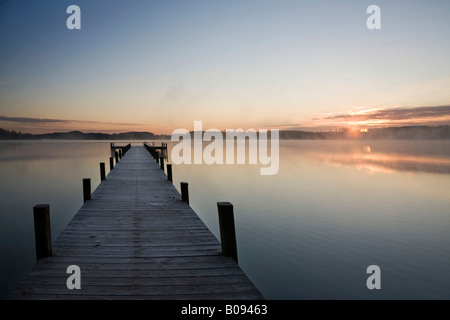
(42, 231)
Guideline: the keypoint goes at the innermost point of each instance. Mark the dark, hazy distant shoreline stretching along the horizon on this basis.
(392, 133)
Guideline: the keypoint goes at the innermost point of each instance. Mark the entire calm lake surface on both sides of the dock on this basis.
(309, 232)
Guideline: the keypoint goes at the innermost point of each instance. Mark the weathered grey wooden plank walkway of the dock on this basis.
(137, 240)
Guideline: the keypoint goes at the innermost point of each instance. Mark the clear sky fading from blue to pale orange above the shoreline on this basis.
(157, 66)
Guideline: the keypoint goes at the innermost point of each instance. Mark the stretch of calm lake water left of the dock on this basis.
(35, 172)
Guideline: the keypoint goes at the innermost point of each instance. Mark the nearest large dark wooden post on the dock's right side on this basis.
(227, 230)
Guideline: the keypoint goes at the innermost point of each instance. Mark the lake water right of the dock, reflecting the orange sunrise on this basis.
(333, 209)
